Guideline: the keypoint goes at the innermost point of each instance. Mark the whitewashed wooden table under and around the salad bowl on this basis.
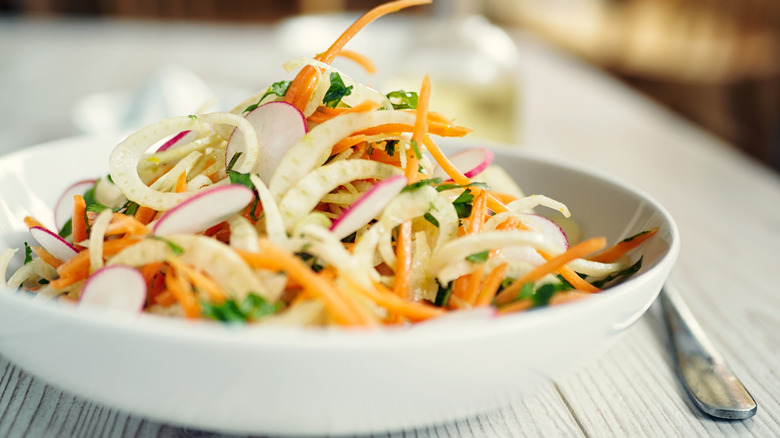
(727, 208)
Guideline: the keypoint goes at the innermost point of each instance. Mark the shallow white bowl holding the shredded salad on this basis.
(293, 381)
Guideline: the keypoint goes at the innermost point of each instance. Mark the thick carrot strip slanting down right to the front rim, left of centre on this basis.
(275, 258)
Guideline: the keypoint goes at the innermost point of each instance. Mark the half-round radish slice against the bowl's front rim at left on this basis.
(115, 287)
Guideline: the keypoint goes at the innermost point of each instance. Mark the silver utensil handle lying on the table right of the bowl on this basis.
(709, 381)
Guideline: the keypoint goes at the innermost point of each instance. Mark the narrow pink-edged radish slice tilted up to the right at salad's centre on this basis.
(368, 206)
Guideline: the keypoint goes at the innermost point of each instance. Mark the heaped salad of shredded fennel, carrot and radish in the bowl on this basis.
(317, 201)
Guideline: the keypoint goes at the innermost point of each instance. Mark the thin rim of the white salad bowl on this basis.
(330, 338)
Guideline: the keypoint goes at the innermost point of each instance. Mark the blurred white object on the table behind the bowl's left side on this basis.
(170, 91)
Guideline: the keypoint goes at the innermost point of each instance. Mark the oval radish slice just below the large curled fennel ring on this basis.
(204, 210)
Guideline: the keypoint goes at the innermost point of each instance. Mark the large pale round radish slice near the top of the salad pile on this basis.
(279, 126)
